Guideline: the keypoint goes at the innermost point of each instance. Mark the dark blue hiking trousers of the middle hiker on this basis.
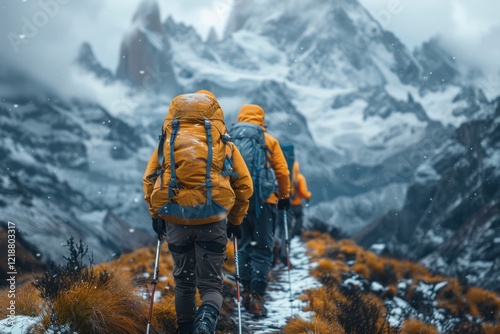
(256, 249)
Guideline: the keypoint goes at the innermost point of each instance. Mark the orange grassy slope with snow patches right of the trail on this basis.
(364, 293)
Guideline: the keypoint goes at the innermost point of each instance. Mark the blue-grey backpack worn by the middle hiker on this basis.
(250, 140)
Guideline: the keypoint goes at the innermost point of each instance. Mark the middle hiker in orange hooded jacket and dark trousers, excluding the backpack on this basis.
(256, 244)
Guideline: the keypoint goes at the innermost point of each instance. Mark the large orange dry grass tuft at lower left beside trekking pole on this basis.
(114, 306)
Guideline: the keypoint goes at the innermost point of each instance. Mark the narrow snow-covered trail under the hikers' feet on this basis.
(278, 296)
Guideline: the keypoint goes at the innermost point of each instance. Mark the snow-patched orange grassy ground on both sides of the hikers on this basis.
(361, 292)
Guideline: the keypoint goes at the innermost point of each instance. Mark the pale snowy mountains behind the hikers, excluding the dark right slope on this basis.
(365, 113)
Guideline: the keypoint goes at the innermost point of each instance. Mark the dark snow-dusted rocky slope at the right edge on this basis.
(451, 217)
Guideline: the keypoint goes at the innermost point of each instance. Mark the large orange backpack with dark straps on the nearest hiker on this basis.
(192, 185)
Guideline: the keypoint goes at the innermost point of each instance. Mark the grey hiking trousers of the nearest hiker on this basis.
(198, 252)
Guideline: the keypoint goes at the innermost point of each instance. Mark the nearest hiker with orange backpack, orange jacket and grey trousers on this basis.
(195, 135)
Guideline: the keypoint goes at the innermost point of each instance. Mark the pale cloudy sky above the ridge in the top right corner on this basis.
(467, 28)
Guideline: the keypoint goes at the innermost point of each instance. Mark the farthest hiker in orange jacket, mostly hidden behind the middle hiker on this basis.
(298, 192)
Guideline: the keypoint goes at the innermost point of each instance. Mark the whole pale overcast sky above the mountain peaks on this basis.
(471, 27)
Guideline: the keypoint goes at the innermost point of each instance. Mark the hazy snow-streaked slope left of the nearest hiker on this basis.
(68, 169)
